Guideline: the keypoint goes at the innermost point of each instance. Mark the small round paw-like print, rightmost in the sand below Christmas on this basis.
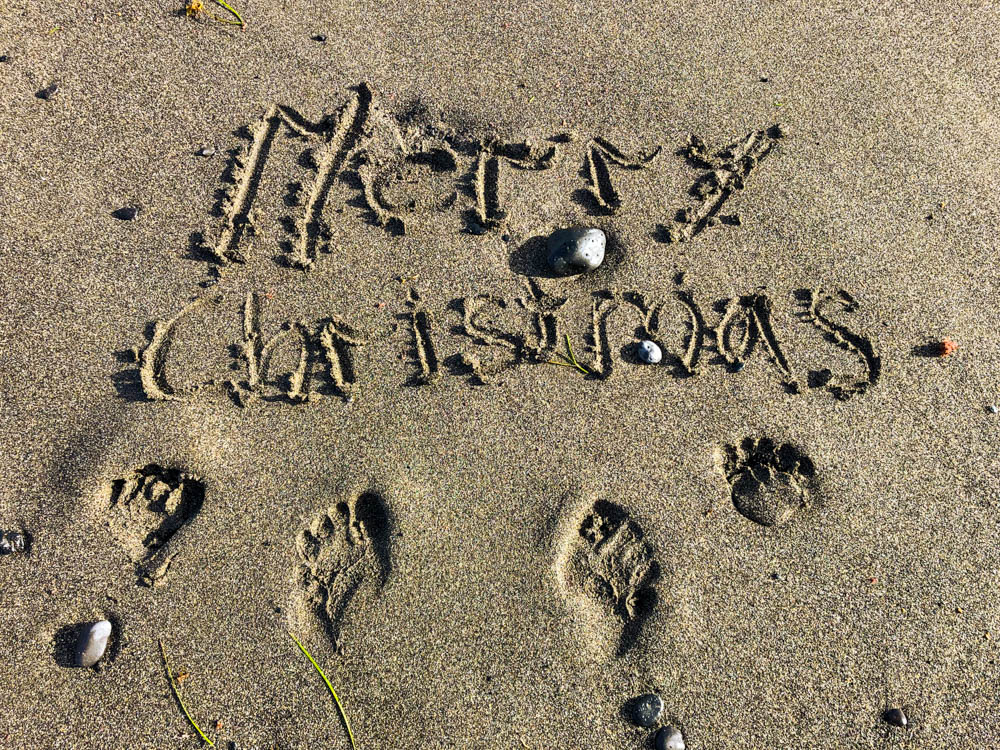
(768, 482)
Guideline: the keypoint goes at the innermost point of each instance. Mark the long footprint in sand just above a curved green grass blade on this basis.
(344, 550)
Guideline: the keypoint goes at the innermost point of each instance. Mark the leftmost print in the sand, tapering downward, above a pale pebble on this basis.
(146, 510)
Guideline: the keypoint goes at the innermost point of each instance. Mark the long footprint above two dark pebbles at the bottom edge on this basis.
(607, 571)
